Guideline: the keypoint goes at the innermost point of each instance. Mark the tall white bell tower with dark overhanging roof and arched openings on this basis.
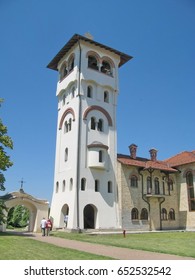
(85, 186)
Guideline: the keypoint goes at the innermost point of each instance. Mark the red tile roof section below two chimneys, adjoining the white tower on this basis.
(145, 163)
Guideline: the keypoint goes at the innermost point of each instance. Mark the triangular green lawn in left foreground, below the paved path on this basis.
(14, 247)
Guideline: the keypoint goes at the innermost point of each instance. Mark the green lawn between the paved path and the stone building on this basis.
(175, 243)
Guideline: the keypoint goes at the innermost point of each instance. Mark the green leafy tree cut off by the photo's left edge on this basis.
(5, 162)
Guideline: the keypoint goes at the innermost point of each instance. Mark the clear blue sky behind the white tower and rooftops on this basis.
(157, 87)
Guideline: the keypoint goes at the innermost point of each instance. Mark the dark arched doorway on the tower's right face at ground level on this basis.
(89, 214)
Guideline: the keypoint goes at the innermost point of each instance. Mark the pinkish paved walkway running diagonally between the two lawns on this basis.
(109, 251)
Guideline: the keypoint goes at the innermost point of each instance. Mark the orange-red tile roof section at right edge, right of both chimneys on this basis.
(181, 158)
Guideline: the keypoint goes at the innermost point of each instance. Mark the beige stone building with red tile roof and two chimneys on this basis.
(156, 194)
